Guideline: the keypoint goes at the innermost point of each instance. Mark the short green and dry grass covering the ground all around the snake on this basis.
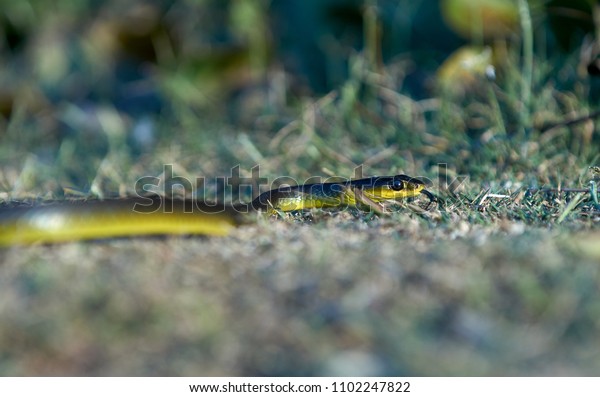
(500, 284)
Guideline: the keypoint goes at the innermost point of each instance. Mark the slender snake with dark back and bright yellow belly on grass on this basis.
(64, 221)
